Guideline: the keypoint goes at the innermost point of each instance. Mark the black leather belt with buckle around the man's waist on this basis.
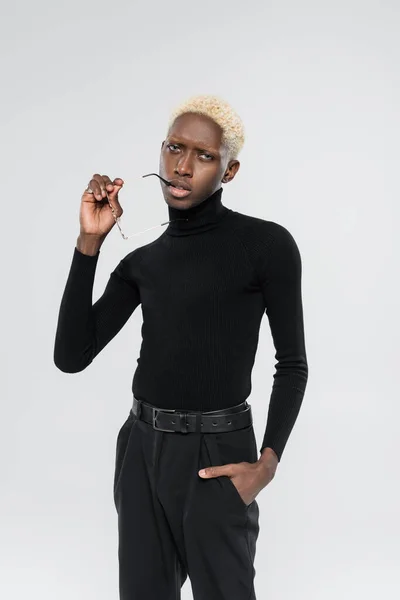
(178, 421)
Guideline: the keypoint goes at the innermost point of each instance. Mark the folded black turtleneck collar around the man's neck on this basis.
(201, 217)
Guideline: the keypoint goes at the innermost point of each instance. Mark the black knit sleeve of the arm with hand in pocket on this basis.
(280, 277)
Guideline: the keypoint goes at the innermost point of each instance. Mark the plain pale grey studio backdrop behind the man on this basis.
(88, 87)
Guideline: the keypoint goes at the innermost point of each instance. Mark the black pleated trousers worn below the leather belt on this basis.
(173, 524)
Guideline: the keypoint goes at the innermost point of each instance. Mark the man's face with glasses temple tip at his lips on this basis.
(193, 154)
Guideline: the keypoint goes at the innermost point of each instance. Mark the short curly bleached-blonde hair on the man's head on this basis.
(222, 113)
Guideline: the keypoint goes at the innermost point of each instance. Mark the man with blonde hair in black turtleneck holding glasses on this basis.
(204, 286)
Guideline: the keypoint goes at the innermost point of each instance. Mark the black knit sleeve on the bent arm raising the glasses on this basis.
(83, 328)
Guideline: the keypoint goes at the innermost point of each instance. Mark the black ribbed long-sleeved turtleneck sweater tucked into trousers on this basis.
(203, 286)
